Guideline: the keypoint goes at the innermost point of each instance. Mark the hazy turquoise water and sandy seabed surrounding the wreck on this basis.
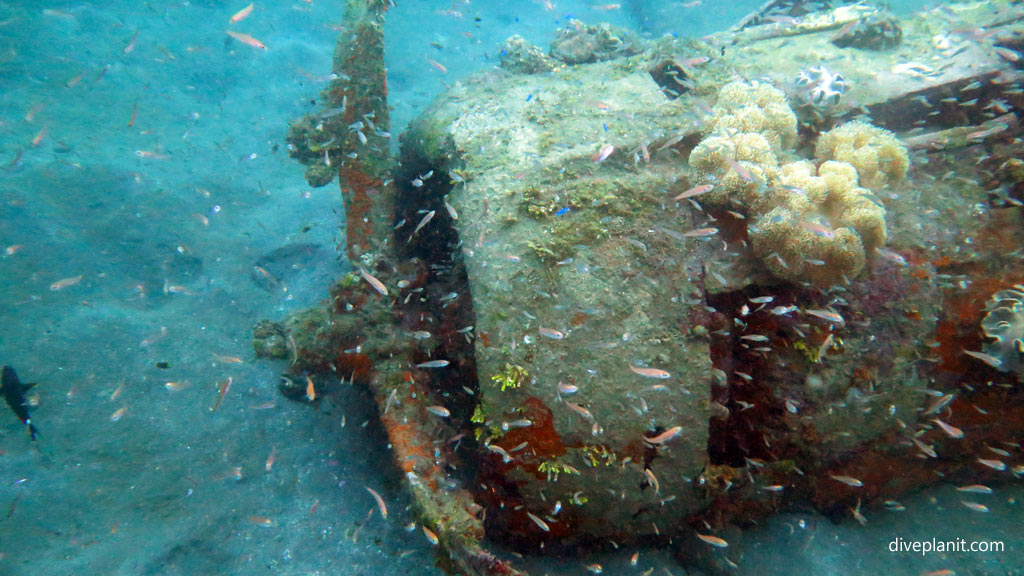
(145, 174)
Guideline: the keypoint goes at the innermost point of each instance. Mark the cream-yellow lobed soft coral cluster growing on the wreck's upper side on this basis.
(809, 223)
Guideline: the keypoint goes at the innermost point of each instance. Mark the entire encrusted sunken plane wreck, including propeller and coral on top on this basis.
(655, 291)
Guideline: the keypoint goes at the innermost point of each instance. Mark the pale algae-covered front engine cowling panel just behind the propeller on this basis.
(581, 274)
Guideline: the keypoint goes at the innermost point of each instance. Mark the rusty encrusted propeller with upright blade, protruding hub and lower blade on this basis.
(361, 334)
